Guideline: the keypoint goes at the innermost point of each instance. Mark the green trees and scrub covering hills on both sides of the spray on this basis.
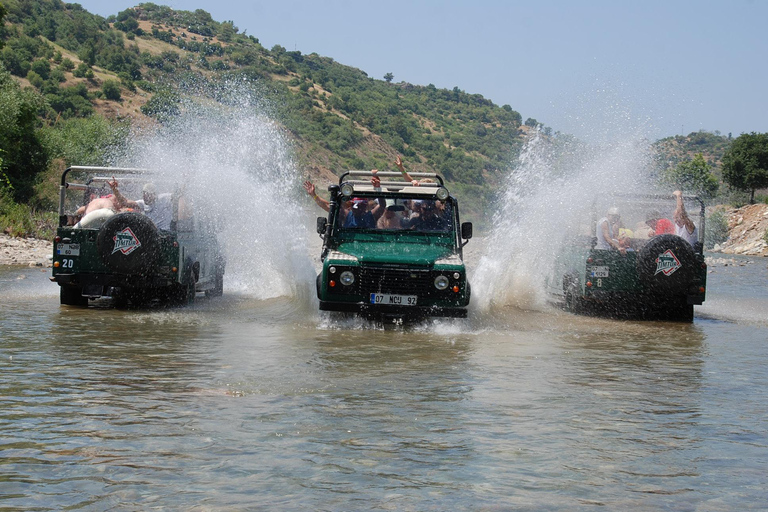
(72, 84)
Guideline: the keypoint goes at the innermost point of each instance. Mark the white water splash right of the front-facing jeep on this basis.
(547, 197)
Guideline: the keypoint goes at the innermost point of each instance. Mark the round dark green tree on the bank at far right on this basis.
(745, 163)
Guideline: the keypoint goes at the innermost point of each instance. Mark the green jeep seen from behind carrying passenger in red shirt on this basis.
(647, 272)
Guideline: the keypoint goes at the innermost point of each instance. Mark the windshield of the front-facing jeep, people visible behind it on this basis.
(379, 214)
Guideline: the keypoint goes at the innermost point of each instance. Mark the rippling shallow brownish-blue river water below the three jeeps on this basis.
(245, 403)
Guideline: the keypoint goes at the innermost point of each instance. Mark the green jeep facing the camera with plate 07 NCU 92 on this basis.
(393, 251)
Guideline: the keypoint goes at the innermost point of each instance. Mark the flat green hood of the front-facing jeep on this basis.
(395, 252)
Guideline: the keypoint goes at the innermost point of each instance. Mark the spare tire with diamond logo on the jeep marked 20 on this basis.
(129, 243)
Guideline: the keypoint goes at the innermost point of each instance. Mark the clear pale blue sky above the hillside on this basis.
(592, 68)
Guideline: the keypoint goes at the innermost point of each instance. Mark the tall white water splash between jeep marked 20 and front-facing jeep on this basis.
(235, 159)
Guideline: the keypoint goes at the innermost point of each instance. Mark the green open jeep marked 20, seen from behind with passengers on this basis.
(121, 253)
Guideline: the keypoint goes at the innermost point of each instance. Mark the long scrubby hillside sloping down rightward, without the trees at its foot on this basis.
(139, 65)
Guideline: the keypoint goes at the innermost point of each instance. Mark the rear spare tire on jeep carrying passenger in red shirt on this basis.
(666, 264)
